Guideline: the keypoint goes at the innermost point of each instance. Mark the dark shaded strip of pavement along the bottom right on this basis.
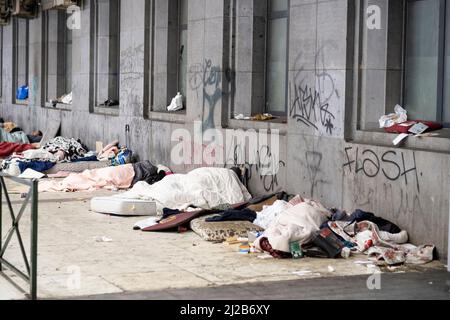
(434, 285)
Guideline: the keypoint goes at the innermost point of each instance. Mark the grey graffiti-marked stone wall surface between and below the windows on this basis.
(317, 158)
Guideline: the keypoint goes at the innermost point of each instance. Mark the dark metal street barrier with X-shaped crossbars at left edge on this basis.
(31, 264)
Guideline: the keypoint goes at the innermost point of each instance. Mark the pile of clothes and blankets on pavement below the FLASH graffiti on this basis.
(332, 233)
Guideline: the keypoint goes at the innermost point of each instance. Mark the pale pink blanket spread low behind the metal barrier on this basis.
(109, 178)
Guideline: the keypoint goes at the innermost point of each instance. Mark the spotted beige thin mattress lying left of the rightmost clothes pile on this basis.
(220, 231)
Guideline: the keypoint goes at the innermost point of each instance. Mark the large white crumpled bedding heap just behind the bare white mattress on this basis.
(203, 188)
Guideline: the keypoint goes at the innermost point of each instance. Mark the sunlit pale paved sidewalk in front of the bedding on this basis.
(72, 263)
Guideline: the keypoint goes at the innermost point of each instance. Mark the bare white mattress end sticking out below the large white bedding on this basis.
(123, 207)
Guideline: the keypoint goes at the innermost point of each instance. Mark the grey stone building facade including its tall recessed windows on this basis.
(327, 69)
